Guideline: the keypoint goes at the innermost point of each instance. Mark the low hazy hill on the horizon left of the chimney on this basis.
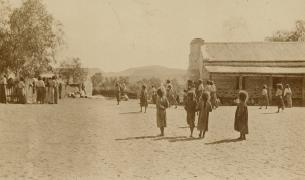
(161, 72)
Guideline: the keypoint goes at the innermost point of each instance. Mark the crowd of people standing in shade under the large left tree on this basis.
(47, 90)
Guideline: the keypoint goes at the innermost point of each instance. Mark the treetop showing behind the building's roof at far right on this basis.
(298, 34)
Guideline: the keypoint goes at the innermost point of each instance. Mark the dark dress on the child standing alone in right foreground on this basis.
(241, 118)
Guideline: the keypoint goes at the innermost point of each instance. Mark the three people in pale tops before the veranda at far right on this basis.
(283, 97)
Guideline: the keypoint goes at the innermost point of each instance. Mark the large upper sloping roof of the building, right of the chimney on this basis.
(255, 51)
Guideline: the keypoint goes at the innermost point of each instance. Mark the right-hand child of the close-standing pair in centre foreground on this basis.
(204, 107)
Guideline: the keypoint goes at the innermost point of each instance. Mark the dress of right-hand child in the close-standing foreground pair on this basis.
(203, 120)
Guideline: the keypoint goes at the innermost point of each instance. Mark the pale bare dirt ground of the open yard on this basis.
(96, 139)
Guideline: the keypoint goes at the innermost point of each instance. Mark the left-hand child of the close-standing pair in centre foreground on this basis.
(190, 107)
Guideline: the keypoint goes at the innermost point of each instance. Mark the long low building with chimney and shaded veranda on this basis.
(249, 65)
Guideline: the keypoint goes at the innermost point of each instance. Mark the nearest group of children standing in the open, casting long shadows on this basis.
(201, 100)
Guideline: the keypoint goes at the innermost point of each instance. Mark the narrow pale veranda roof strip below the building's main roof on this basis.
(255, 70)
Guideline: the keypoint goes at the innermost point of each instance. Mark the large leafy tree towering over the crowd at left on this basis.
(33, 39)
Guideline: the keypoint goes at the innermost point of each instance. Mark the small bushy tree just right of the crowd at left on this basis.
(72, 69)
